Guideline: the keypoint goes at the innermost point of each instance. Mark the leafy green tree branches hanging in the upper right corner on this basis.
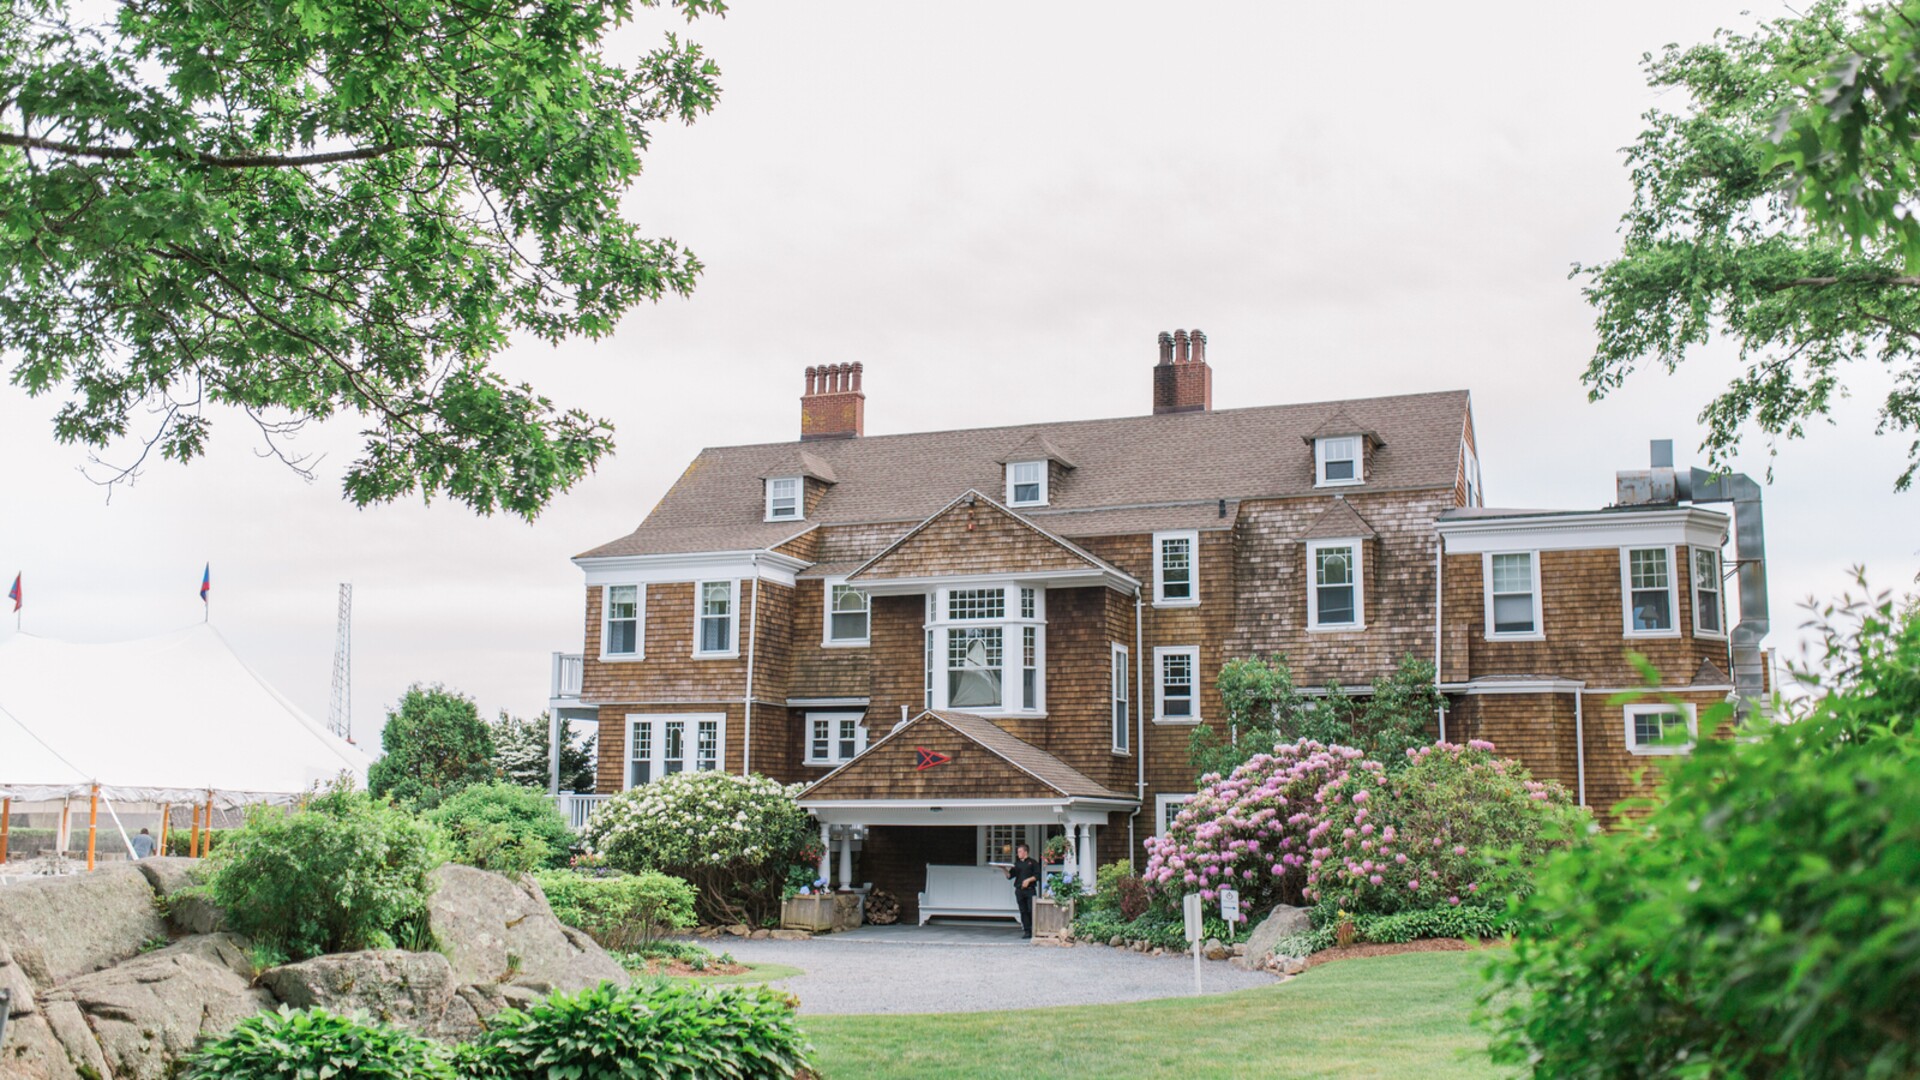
(1771, 205)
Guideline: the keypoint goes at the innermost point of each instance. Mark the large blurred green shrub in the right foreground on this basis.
(1762, 918)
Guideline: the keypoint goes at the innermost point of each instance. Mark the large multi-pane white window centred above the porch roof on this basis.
(988, 650)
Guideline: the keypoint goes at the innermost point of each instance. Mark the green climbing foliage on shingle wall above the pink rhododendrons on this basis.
(1266, 710)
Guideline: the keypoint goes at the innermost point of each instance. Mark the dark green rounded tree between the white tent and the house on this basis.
(435, 745)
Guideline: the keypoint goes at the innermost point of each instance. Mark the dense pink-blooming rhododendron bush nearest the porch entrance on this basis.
(1257, 829)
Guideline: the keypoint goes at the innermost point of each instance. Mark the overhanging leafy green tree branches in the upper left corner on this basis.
(308, 209)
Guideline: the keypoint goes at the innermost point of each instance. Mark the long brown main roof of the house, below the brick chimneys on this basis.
(1120, 464)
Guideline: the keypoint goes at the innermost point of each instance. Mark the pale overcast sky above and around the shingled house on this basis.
(997, 209)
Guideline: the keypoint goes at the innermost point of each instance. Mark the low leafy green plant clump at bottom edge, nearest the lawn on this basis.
(650, 1031)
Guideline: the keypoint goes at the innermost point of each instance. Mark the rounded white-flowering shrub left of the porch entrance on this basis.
(732, 839)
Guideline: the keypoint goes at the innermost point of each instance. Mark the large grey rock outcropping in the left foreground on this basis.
(114, 975)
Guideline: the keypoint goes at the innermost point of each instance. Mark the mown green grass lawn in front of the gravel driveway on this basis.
(1406, 1016)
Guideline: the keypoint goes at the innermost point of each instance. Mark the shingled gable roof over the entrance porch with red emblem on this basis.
(1011, 770)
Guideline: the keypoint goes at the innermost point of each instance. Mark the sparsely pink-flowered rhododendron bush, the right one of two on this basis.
(1456, 827)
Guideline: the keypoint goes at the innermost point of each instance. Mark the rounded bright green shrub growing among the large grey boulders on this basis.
(343, 873)
